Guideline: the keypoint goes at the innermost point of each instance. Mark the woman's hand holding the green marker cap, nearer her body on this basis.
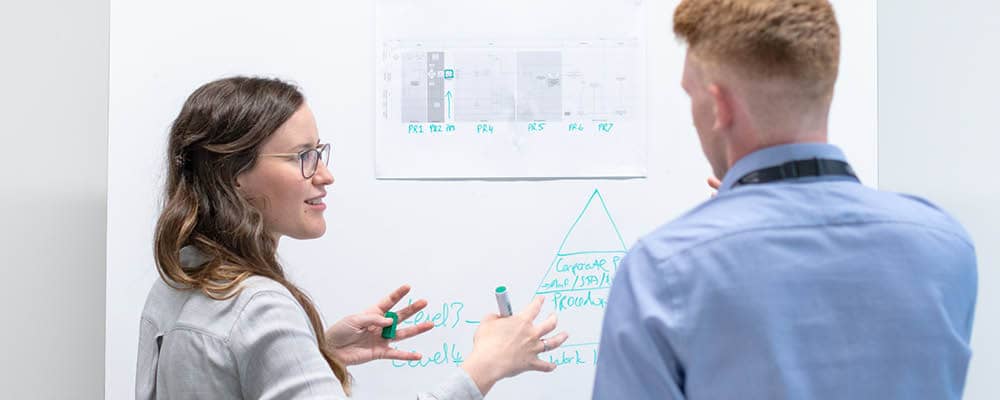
(357, 338)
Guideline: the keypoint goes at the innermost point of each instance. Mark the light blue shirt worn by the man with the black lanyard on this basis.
(810, 288)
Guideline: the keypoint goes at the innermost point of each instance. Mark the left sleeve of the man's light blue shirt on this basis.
(635, 359)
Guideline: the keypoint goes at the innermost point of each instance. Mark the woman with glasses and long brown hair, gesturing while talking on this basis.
(246, 168)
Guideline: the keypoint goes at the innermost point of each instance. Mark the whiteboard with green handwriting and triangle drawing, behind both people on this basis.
(454, 241)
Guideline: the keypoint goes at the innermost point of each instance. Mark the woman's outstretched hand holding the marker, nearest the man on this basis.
(505, 347)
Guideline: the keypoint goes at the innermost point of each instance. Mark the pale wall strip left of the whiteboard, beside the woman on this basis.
(53, 180)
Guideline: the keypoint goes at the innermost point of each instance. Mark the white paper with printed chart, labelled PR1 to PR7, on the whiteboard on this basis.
(566, 103)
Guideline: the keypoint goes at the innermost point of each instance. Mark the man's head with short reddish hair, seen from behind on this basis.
(759, 73)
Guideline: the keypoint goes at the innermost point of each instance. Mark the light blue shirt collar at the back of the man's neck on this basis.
(777, 155)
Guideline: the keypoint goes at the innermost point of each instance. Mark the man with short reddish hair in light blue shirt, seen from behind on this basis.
(795, 281)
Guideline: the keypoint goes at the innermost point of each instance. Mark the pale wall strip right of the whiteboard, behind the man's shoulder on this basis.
(938, 136)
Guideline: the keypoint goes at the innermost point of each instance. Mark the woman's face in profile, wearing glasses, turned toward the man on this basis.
(291, 204)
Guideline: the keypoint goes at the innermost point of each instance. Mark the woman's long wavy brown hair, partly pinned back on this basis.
(214, 139)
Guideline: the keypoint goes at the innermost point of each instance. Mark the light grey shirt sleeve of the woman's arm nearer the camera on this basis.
(277, 356)
